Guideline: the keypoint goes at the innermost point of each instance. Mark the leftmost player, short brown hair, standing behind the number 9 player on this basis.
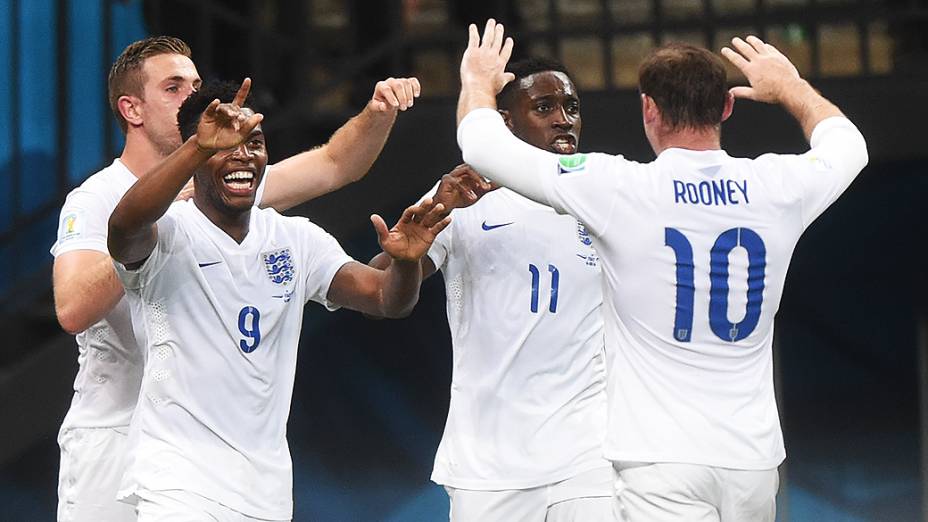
(148, 82)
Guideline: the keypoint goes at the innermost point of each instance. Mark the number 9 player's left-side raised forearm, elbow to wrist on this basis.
(131, 232)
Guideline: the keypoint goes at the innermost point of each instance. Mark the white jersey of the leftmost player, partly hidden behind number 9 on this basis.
(110, 362)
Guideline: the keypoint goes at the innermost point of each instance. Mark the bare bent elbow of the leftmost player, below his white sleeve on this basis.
(84, 297)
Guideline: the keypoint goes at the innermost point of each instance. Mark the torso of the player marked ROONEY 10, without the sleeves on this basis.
(696, 256)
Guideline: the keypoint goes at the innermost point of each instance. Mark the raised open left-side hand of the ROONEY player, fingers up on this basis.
(484, 63)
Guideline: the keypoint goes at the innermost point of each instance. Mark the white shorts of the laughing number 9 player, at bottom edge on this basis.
(183, 506)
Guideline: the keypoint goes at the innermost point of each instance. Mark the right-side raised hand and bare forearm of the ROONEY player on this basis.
(774, 79)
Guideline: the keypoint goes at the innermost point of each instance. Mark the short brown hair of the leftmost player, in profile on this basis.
(126, 76)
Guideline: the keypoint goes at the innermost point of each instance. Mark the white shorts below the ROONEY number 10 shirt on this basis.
(669, 492)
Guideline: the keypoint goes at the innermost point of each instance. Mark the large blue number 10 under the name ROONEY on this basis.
(718, 278)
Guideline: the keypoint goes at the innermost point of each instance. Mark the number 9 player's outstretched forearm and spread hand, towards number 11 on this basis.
(394, 290)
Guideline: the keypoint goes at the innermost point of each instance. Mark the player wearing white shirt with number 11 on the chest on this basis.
(523, 438)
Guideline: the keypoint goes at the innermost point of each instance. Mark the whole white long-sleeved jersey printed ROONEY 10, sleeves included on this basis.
(695, 247)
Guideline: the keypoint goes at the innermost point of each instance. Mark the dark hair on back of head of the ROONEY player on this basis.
(689, 85)
